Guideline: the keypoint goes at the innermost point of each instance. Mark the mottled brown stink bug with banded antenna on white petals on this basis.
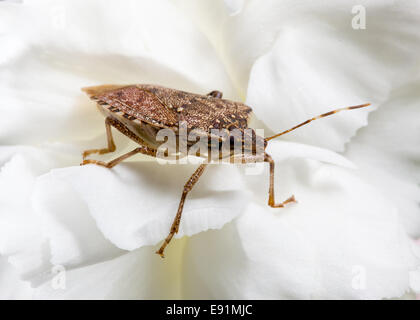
(140, 111)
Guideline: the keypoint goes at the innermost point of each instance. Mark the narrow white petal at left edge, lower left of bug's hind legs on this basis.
(21, 237)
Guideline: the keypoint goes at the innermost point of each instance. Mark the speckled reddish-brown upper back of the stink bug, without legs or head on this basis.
(166, 108)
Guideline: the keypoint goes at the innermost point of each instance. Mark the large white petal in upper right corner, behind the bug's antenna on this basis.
(307, 59)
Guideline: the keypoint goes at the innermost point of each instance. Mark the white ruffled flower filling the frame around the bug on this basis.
(351, 234)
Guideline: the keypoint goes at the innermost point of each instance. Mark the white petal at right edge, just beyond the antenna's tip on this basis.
(388, 153)
